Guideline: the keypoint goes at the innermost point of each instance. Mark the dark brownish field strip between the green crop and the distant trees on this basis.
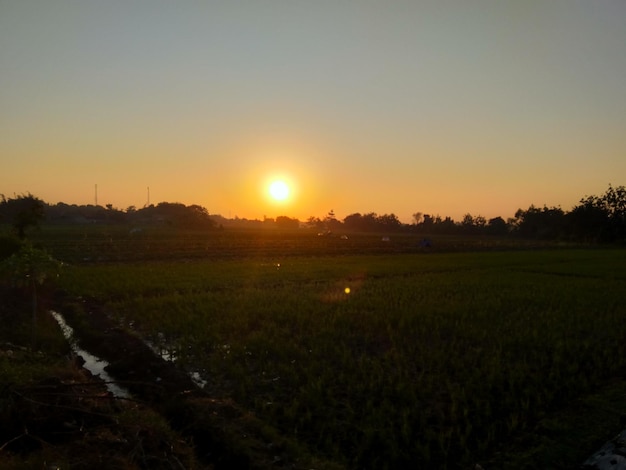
(96, 244)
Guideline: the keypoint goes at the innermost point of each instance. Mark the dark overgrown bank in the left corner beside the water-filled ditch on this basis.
(54, 414)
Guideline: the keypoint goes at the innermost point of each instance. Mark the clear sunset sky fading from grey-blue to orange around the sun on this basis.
(444, 107)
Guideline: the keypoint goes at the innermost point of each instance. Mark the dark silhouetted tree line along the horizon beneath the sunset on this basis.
(595, 219)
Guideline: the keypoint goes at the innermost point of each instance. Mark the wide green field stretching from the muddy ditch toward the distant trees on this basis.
(401, 356)
